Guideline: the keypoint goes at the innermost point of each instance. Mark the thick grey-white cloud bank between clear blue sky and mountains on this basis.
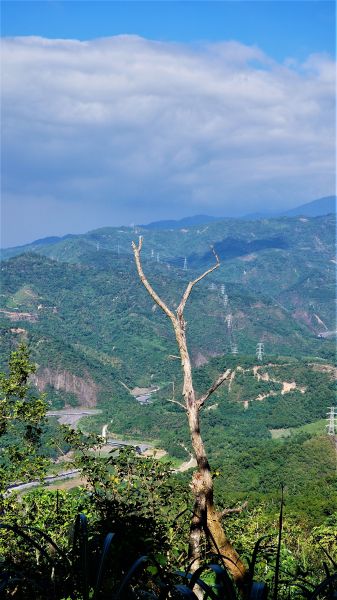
(125, 129)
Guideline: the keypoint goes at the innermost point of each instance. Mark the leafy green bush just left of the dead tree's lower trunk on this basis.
(138, 498)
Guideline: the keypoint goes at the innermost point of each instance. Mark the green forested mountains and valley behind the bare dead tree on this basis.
(103, 348)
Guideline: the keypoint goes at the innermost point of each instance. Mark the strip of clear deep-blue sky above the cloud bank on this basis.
(283, 28)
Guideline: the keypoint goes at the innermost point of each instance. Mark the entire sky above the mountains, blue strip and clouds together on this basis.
(128, 112)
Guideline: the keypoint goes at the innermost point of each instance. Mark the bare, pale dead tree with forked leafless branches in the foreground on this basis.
(206, 518)
